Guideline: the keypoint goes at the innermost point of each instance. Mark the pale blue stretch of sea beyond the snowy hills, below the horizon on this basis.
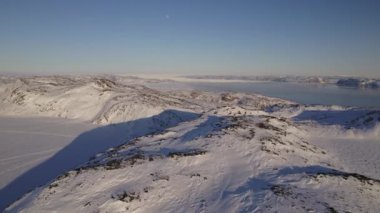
(325, 94)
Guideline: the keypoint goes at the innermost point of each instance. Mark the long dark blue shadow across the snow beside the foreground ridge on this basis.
(87, 145)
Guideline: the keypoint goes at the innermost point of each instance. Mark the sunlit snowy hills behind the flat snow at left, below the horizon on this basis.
(103, 100)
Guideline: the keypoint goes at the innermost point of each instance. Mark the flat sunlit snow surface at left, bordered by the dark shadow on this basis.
(27, 142)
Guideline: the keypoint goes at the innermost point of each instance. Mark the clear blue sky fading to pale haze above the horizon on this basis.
(247, 37)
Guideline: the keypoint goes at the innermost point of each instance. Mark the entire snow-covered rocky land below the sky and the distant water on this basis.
(112, 144)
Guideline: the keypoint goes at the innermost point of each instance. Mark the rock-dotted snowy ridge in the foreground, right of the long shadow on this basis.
(216, 162)
